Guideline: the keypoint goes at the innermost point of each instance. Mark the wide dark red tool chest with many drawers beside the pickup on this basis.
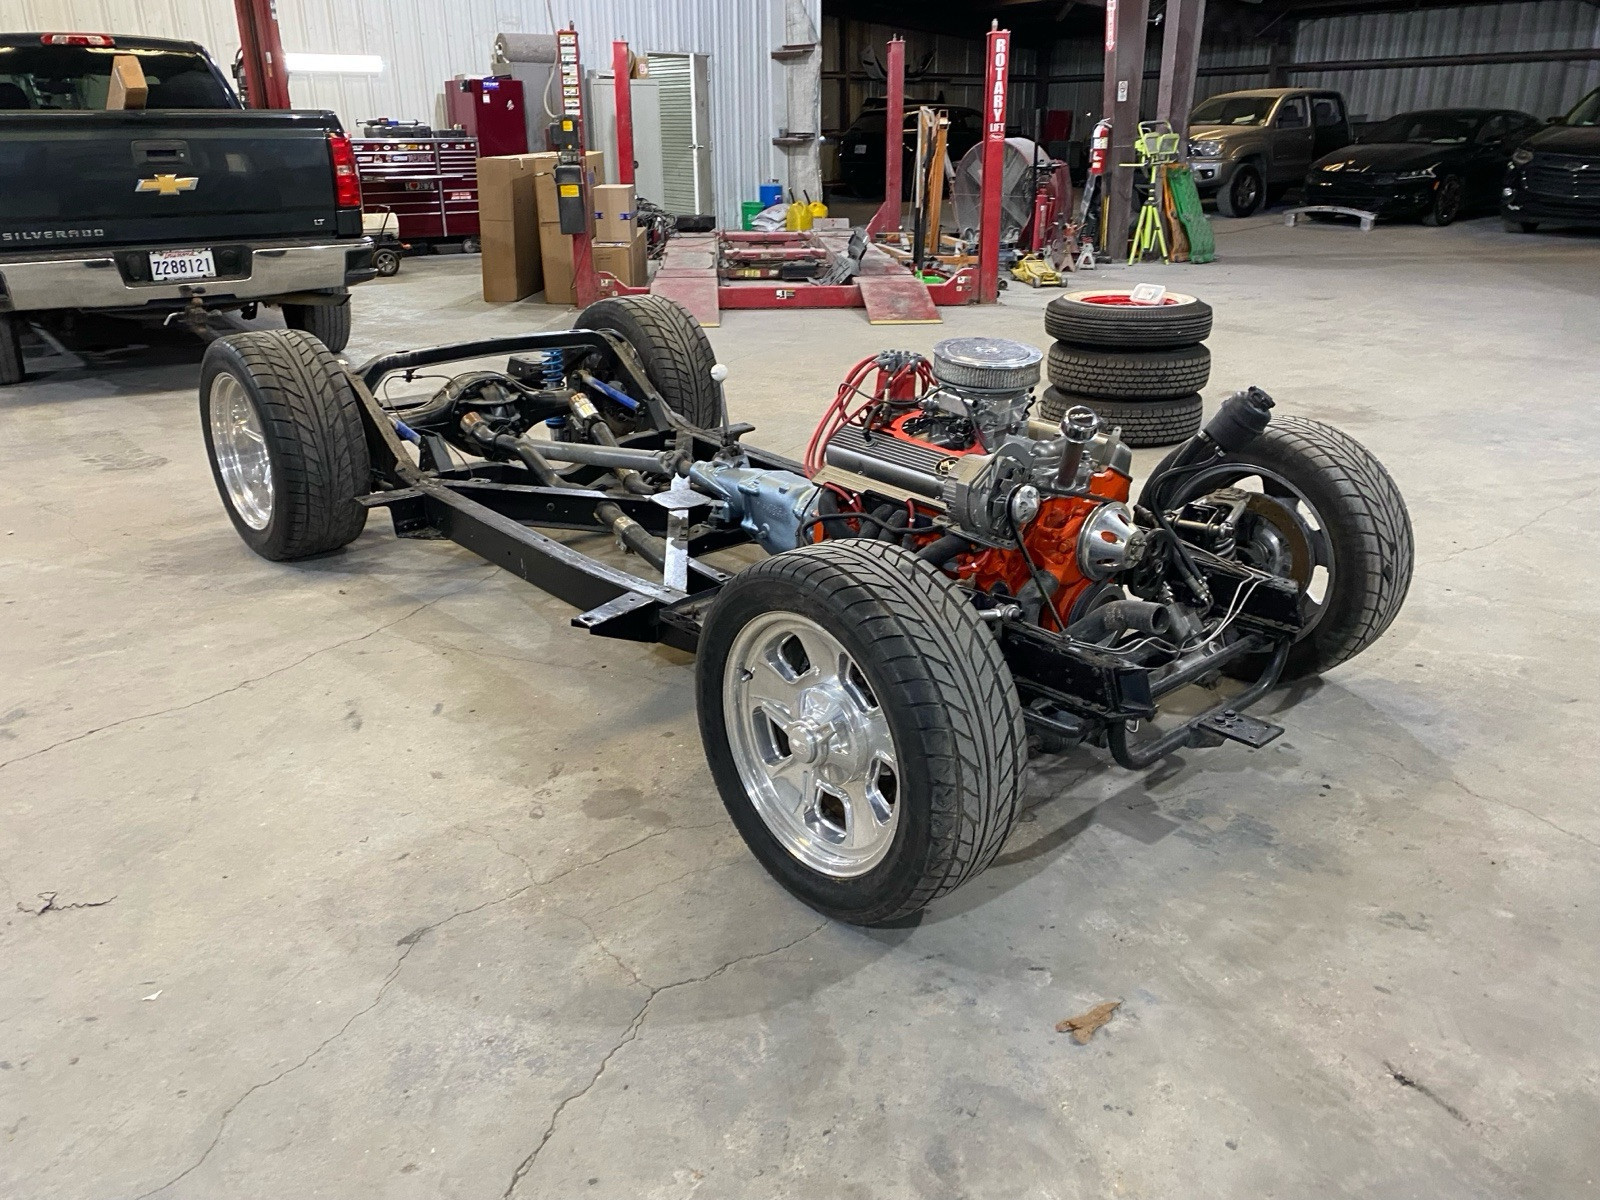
(431, 185)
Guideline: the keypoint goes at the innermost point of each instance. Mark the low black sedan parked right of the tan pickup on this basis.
(1434, 166)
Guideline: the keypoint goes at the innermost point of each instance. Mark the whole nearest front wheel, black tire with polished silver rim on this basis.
(862, 727)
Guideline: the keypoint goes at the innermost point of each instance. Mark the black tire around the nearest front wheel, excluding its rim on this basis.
(948, 698)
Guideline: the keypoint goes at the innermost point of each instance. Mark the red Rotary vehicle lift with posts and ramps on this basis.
(710, 273)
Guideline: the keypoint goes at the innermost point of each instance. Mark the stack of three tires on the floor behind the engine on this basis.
(1140, 367)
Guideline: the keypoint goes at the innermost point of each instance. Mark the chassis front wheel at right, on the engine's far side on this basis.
(1332, 519)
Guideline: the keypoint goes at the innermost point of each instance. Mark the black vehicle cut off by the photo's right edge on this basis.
(1556, 175)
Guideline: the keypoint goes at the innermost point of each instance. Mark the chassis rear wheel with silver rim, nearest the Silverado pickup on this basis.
(286, 439)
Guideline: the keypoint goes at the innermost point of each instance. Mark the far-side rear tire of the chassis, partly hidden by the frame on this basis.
(673, 346)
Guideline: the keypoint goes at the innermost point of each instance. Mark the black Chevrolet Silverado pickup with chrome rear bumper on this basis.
(186, 206)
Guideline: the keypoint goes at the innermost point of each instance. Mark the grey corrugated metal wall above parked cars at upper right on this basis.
(1542, 89)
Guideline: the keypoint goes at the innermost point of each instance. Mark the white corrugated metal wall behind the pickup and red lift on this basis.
(426, 42)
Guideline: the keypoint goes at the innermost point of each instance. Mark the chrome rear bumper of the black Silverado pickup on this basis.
(79, 279)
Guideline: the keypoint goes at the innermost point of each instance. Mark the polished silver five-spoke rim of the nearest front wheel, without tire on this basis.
(812, 745)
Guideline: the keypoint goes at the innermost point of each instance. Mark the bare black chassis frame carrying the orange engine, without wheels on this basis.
(486, 508)
